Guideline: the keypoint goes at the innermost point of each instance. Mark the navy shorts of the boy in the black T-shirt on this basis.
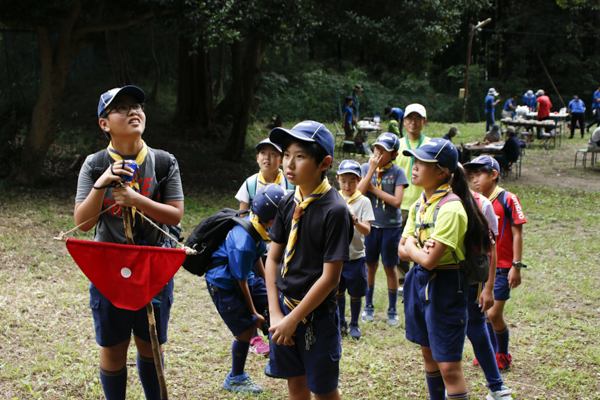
(320, 364)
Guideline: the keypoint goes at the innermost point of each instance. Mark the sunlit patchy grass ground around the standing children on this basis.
(46, 328)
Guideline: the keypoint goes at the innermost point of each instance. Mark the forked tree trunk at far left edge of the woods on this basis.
(55, 65)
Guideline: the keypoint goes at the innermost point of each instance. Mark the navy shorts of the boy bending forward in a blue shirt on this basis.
(232, 308)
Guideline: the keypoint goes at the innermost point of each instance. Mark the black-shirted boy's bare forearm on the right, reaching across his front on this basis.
(284, 330)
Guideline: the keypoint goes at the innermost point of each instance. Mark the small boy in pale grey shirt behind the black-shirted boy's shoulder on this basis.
(354, 272)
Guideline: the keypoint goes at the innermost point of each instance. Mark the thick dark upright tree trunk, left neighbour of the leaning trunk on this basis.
(194, 92)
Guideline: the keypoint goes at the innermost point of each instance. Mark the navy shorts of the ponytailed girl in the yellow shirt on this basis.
(435, 312)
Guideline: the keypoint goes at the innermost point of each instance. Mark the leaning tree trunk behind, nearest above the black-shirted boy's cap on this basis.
(245, 70)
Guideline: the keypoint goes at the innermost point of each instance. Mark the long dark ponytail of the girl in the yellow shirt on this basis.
(477, 235)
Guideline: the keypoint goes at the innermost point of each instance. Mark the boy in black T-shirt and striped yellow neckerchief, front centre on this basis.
(310, 242)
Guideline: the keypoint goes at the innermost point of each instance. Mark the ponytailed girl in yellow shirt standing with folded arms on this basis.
(435, 290)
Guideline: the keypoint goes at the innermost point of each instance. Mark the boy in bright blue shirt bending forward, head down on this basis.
(241, 309)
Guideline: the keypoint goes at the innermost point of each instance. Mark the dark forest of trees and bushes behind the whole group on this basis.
(213, 68)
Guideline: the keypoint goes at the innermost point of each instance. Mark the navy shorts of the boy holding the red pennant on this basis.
(114, 325)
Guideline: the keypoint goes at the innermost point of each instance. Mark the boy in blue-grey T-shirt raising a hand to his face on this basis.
(384, 184)
